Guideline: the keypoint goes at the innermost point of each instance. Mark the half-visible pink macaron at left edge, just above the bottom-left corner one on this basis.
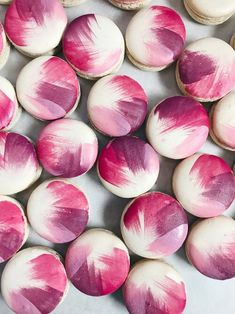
(14, 227)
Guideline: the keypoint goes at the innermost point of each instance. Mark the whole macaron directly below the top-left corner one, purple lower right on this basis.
(48, 88)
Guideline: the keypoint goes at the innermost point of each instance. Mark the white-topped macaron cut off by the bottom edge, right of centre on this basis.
(154, 287)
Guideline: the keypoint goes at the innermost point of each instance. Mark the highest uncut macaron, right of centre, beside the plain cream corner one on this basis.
(155, 38)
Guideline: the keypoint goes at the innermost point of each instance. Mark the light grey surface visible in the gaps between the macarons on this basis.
(205, 296)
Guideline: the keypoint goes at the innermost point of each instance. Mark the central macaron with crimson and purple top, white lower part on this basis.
(127, 166)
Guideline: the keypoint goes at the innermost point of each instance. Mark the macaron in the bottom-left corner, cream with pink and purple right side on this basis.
(34, 281)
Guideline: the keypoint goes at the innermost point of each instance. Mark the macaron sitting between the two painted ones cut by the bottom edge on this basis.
(97, 262)
